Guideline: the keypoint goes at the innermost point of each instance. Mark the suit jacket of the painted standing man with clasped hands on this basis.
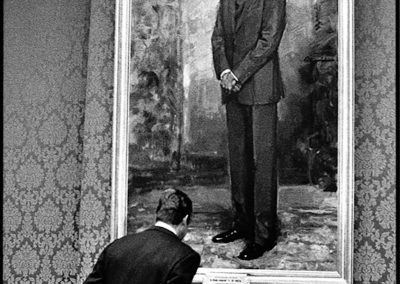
(249, 47)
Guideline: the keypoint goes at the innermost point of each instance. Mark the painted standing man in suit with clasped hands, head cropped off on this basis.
(245, 45)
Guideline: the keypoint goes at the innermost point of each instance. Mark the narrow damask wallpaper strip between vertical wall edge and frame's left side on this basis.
(95, 203)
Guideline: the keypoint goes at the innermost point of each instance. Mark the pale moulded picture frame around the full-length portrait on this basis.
(345, 155)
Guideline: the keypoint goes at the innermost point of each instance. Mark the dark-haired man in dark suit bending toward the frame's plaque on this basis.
(155, 256)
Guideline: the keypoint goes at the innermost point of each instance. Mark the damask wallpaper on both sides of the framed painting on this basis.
(57, 139)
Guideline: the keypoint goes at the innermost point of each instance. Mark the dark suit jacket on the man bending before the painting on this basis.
(155, 256)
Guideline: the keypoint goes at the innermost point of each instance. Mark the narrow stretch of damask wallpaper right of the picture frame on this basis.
(375, 159)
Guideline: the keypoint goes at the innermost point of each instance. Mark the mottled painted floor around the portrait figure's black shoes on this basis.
(308, 219)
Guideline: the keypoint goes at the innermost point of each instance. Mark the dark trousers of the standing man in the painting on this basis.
(253, 170)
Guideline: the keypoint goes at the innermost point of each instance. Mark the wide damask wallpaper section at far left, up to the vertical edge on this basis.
(45, 57)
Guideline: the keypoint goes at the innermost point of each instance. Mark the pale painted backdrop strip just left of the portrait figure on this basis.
(204, 116)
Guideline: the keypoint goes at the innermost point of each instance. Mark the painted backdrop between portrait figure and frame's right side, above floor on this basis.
(307, 129)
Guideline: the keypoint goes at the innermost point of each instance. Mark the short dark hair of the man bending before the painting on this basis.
(173, 206)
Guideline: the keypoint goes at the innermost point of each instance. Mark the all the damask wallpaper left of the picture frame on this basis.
(57, 146)
